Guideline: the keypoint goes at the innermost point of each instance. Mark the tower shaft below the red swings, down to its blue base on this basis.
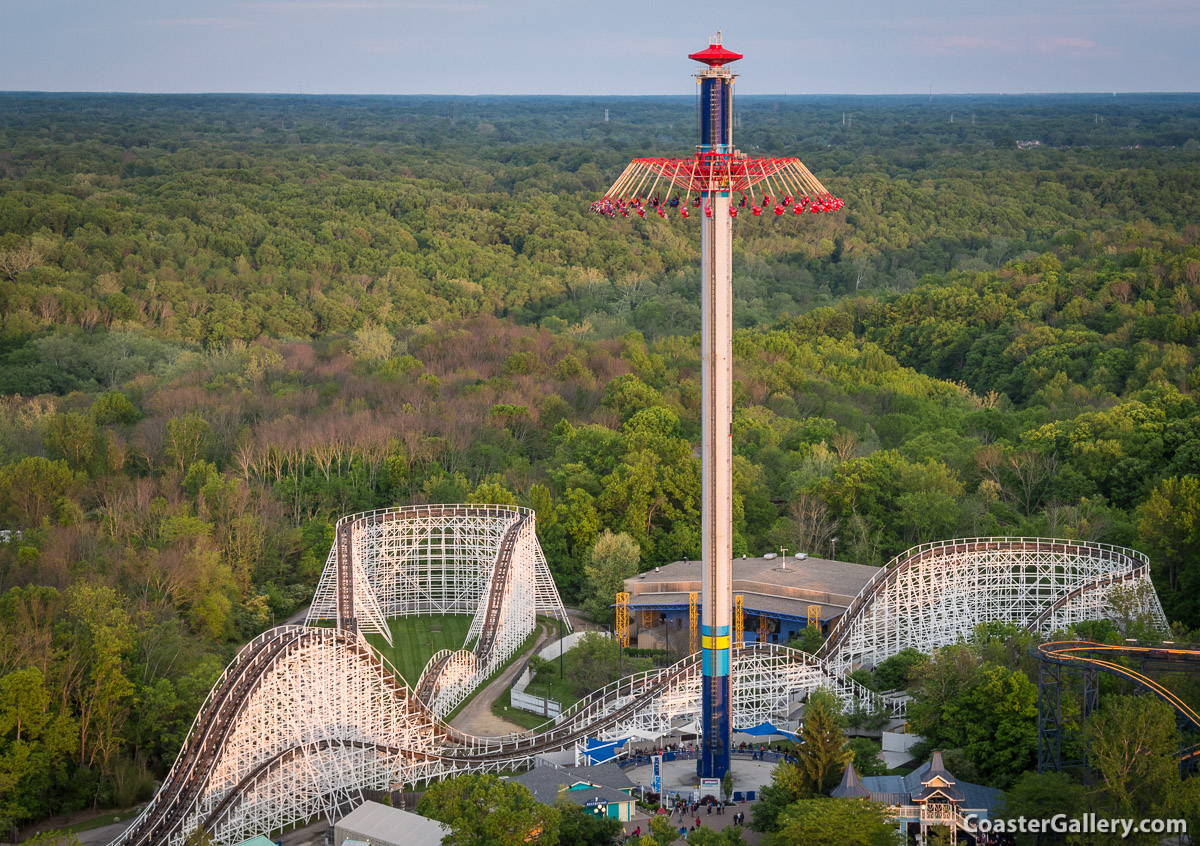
(717, 460)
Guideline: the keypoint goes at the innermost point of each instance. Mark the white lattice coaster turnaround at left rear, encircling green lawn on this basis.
(441, 560)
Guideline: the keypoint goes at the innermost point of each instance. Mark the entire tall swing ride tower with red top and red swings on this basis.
(716, 184)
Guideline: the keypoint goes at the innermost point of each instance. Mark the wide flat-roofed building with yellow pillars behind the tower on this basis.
(778, 597)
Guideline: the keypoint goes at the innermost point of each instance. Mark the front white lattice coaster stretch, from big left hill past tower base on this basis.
(307, 722)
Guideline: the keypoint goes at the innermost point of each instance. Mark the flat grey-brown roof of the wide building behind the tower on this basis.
(812, 581)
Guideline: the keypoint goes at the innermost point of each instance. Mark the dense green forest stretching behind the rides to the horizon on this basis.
(229, 321)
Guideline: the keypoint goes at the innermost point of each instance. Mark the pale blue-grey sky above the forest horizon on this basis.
(603, 47)
